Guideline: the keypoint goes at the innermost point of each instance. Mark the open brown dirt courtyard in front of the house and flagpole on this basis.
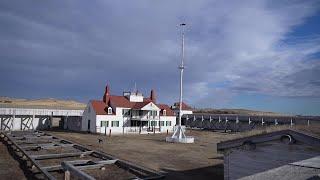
(177, 161)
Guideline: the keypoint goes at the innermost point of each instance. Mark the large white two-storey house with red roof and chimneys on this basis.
(129, 113)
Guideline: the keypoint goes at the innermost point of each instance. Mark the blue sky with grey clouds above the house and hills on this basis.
(262, 55)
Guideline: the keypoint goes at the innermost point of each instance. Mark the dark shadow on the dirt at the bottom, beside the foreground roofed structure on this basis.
(210, 172)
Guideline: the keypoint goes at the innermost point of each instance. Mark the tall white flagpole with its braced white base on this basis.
(179, 135)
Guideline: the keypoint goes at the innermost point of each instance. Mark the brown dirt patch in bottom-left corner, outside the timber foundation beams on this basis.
(9, 167)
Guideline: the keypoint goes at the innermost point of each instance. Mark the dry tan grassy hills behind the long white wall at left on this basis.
(47, 102)
